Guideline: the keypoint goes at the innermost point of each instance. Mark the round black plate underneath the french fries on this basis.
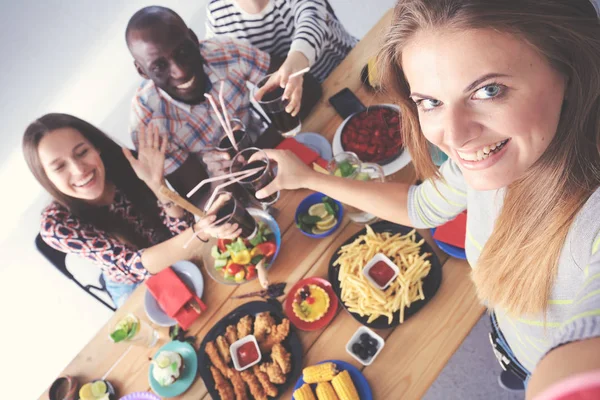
(431, 282)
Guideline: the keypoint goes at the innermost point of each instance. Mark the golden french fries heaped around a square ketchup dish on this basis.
(360, 296)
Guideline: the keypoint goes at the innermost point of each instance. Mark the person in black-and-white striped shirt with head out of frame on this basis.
(305, 33)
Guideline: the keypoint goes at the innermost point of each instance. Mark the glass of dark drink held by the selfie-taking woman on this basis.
(257, 180)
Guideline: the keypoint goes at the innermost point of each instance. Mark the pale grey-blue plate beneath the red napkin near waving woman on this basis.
(189, 273)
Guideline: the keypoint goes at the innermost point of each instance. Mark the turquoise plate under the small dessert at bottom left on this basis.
(188, 375)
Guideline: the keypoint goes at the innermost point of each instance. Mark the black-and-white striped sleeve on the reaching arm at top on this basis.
(311, 28)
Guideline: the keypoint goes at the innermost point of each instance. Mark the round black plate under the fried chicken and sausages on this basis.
(291, 343)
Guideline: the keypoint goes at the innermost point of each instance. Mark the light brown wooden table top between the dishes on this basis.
(414, 353)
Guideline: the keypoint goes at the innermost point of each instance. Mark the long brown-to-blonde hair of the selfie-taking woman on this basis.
(518, 265)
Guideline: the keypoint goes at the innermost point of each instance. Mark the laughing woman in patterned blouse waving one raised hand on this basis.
(107, 206)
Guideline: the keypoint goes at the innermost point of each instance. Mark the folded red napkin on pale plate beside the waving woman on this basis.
(173, 297)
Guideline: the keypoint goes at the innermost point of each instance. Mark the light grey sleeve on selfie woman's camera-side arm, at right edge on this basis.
(583, 321)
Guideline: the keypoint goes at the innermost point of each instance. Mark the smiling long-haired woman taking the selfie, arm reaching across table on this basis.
(510, 90)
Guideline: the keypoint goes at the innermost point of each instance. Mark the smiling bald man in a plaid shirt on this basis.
(178, 70)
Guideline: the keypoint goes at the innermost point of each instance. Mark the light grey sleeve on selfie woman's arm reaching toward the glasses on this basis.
(435, 202)
